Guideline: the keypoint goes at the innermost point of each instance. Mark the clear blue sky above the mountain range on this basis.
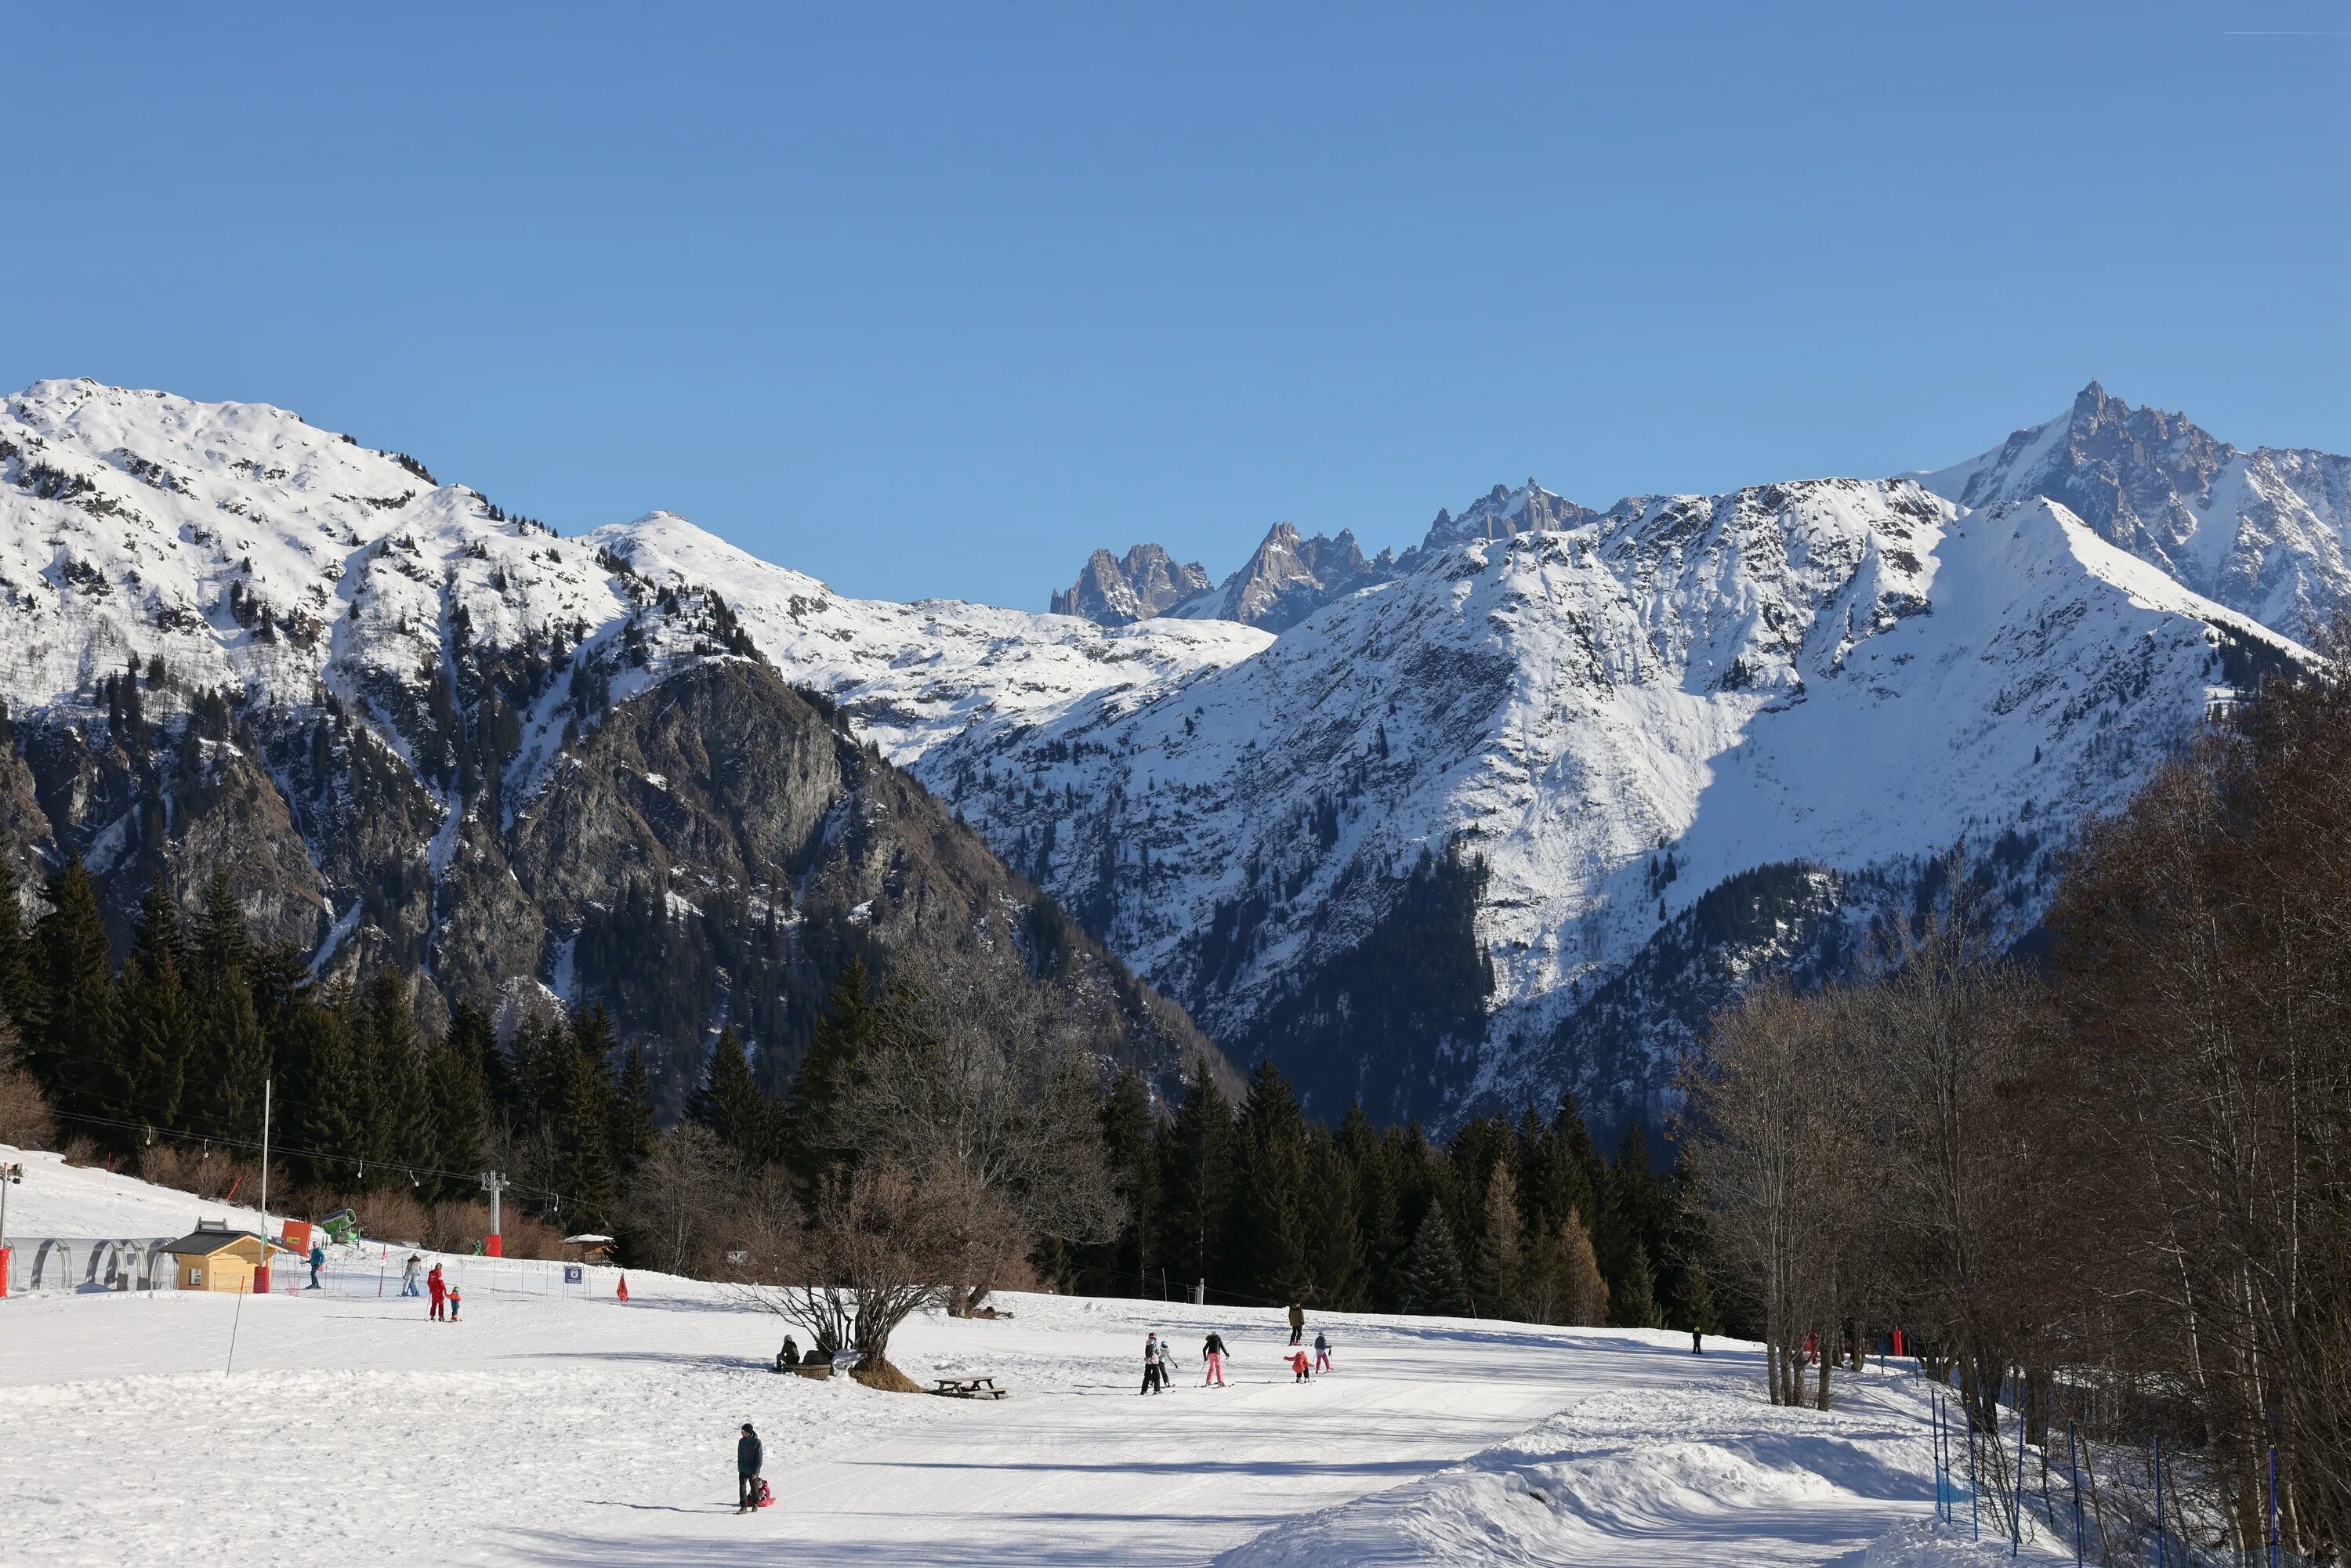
(937, 300)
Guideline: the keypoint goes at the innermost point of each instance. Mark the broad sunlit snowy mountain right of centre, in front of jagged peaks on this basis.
(1609, 721)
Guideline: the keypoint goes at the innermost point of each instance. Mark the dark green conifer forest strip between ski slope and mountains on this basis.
(156, 1061)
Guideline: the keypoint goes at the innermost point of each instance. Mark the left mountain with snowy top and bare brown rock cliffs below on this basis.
(417, 730)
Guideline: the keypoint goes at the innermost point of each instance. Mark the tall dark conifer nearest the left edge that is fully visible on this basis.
(72, 1026)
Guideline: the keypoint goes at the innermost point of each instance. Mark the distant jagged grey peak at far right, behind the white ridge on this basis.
(2263, 532)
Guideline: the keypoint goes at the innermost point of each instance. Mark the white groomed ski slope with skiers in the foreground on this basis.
(568, 1428)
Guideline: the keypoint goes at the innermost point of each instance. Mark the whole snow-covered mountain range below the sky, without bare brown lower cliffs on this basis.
(1456, 829)
